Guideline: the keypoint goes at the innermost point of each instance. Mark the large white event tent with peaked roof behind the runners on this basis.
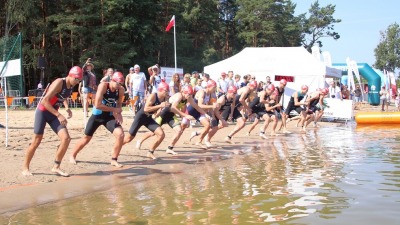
(295, 64)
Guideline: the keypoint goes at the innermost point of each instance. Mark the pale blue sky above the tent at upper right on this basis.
(360, 28)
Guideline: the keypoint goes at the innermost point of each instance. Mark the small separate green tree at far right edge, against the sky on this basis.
(387, 53)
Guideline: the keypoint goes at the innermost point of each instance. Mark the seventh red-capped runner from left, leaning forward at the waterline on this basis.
(241, 98)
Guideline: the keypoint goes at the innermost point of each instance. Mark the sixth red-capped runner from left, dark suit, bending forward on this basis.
(221, 114)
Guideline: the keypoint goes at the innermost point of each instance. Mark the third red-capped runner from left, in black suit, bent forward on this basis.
(154, 103)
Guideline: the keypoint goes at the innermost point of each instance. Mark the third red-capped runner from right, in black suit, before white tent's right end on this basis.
(295, 103)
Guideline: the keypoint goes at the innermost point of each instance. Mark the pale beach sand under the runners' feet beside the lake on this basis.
(94, 172)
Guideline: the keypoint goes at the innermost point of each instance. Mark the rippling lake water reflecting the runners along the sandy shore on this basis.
(330, 175)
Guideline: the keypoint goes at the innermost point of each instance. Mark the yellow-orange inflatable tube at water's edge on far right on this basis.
(378, 118)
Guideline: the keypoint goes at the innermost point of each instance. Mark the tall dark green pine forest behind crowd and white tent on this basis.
(121, 33)
